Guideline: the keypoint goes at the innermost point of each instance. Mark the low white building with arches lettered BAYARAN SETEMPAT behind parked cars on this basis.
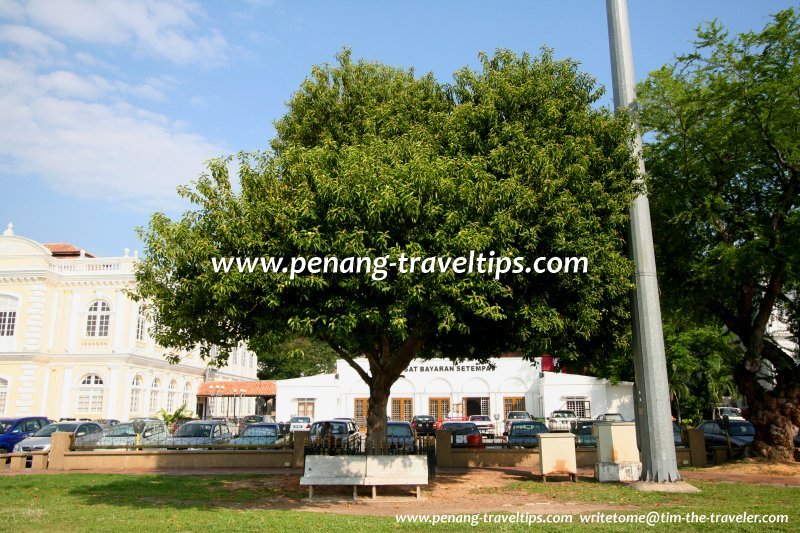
(439, 387)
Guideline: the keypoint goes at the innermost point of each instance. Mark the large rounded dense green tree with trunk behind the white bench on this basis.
(373, 161)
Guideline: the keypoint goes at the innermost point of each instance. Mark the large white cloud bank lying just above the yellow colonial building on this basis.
(82, 137)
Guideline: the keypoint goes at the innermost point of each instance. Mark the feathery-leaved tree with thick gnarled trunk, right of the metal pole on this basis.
(722, 132)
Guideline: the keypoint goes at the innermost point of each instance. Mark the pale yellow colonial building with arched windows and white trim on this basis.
(74, 345)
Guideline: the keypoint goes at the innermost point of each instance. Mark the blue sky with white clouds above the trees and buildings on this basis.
(106, 106)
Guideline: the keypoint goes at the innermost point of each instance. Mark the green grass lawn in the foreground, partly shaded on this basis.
(117, 502)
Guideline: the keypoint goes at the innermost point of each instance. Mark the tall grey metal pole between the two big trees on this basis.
(654, 419)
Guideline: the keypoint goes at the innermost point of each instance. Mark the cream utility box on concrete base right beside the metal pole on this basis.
(617, 452)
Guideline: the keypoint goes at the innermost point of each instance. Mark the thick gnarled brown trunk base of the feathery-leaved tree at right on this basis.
(774, 413)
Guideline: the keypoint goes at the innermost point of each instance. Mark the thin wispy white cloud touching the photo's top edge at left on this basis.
(152, 27)
